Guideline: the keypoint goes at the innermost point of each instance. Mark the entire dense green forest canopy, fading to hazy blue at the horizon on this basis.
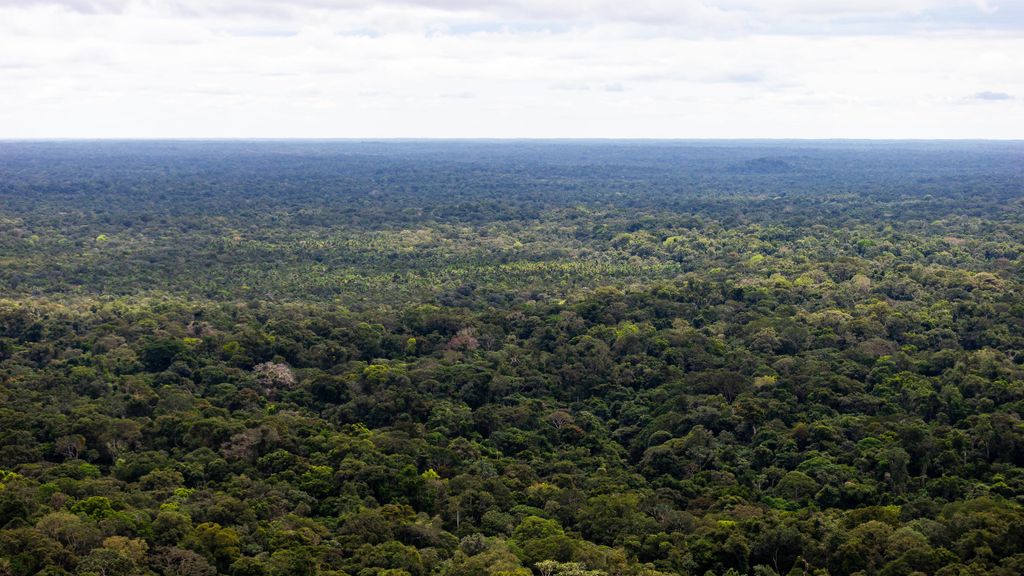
(511, 359)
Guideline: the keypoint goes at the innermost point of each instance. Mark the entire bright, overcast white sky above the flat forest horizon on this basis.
(513, 69)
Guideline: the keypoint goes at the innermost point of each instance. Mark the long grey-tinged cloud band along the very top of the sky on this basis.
(706, 17)
